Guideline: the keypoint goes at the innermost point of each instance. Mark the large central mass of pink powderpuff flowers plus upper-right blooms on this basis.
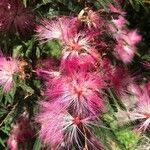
(74, 88)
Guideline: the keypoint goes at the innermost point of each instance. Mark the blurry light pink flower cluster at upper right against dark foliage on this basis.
(126, 40)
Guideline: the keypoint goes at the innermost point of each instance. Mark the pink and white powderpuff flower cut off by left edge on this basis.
(8, 67)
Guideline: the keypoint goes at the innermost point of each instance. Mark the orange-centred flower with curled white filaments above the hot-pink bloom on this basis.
(79, 47)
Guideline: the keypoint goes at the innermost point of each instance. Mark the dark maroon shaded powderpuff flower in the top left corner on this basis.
(15, 17)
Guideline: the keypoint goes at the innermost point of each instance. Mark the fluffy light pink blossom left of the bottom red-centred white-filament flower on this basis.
(51, 120)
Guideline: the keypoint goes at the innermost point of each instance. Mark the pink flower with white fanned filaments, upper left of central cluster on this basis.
(58, 28)
